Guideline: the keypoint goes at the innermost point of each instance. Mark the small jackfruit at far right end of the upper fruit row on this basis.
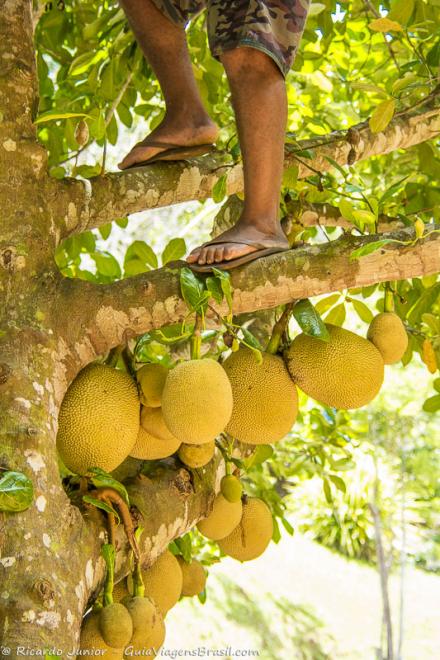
(388, 334)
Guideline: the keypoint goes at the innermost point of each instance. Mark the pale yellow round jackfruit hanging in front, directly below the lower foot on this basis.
(197, 401)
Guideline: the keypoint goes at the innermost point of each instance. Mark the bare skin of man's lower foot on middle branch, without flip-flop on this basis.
(232, 247)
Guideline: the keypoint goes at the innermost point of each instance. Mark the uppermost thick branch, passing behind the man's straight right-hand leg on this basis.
(85, 205)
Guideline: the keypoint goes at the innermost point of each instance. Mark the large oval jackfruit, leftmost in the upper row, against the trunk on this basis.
(99, 419)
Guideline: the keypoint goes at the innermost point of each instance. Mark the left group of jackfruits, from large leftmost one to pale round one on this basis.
(105, 417)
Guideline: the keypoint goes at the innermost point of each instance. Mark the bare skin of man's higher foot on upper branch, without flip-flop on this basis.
(183, 133)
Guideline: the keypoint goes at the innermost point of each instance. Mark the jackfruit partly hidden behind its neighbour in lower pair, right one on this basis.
(252, 536)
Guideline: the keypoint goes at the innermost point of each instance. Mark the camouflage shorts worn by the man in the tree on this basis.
(272, 26)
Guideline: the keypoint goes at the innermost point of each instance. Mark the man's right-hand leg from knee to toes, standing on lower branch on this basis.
(260, 103)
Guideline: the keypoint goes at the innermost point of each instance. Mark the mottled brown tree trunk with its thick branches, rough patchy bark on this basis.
(51, 327)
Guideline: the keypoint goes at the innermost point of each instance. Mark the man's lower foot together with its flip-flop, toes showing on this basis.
(245, 242)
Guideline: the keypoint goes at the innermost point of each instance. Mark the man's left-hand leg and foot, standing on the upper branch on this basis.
(163, 43)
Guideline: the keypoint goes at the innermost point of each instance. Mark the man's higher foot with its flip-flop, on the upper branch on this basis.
(187, 133)
